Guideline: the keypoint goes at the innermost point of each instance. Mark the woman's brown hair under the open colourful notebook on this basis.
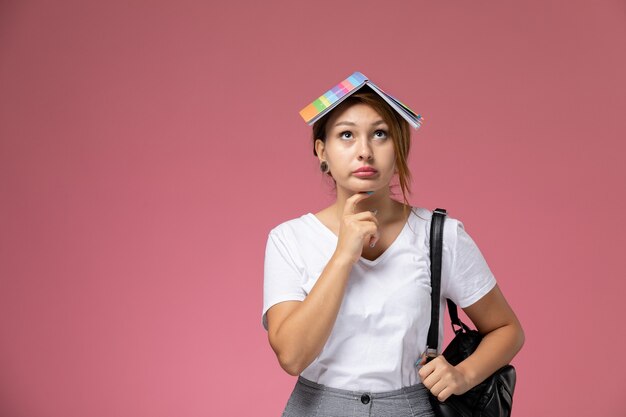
(399, 131)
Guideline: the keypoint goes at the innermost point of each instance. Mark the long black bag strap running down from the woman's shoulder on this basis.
(436, 249)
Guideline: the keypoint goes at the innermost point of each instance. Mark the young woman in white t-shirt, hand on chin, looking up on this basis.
(347, 289)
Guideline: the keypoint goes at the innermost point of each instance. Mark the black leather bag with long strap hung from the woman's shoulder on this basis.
(494, 396)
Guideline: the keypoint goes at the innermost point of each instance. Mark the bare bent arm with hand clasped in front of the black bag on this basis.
(503, 337)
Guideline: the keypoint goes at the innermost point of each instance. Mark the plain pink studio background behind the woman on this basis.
(146, 150)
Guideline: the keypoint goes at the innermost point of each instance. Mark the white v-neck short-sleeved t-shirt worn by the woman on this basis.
(382, 324)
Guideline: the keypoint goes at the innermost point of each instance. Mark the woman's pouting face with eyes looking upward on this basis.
(357, 137)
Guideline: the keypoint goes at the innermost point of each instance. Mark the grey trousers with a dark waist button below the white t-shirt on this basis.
(310, 399)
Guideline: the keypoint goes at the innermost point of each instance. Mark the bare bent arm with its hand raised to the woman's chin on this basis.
(298, 330)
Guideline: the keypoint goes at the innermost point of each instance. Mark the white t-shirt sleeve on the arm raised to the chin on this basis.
(283, 274)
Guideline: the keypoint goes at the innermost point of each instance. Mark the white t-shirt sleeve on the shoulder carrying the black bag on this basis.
(468, 275)
